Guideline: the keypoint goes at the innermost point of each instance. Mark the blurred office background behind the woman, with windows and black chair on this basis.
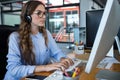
(66, 20)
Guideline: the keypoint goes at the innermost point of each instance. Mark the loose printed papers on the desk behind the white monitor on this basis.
(107, 62)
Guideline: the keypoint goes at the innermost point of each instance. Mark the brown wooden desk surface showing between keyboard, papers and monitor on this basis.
(85, 76)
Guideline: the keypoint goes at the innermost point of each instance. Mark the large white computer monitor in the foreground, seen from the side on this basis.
(105, 36)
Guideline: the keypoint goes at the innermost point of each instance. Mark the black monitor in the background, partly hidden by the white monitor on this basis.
(93, 18)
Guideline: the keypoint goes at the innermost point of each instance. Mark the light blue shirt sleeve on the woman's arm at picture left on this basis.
(15, 65)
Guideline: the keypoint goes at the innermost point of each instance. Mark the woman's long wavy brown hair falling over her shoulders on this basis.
(24, 31)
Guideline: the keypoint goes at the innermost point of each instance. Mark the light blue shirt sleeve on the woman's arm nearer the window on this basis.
(56, 52)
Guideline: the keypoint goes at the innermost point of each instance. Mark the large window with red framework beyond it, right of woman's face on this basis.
(61, 22)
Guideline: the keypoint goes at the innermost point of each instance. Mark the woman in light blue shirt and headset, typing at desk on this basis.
(32, 47)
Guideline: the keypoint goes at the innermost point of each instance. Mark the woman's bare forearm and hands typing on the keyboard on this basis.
(62, 65)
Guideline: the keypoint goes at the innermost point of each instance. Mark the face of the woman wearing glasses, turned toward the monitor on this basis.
(38, 16)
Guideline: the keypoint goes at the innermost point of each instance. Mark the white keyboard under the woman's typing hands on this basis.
(58, 75)
